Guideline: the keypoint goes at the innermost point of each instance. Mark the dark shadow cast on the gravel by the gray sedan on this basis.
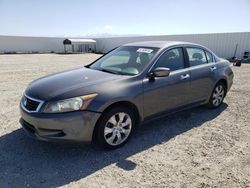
(28, 162)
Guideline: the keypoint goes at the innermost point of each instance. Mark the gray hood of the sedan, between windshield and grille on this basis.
(49, 87)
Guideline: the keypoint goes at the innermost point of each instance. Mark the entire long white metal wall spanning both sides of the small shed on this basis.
(223, 44)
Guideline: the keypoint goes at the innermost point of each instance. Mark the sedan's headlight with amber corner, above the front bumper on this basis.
(68, 105)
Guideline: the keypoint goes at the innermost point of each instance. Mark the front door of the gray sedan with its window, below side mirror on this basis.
(165, 93)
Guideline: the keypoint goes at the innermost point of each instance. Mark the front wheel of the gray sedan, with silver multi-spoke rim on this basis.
(115, 127)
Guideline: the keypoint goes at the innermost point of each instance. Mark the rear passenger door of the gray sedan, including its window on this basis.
(202, 70)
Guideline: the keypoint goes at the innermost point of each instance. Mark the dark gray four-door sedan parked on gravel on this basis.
(108, 98)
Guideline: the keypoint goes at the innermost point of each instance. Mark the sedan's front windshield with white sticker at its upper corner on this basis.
(126, 60)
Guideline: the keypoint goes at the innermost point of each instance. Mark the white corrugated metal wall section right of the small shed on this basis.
(223, 44)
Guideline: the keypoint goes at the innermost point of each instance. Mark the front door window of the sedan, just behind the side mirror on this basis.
(172, 59)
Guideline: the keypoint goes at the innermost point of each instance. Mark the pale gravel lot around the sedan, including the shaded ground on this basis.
(195, 148)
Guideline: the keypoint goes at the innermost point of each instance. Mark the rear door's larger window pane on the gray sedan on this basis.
(196, 56)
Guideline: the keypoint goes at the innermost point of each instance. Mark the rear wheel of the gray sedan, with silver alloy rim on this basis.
(217, 96)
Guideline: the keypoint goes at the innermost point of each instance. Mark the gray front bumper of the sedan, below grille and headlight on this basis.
(71, 126)
